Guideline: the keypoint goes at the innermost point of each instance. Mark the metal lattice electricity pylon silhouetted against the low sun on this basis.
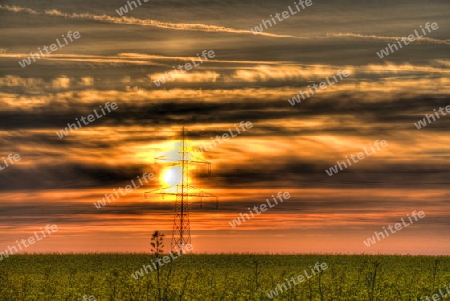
(181, 232)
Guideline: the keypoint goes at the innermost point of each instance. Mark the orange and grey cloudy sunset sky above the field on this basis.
(251, 78)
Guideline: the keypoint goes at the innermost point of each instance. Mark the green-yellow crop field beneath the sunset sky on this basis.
(222, 277)
